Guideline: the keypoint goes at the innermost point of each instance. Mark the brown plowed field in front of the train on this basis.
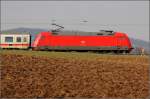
(101, 76)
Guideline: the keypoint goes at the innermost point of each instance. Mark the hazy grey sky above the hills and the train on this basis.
(131, 17)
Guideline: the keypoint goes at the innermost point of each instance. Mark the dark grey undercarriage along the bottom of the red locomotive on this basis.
(116, 50)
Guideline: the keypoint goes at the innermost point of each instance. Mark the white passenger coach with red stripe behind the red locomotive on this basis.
(15, 40)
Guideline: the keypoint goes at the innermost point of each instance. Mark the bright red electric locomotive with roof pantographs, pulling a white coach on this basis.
(102, 41)
